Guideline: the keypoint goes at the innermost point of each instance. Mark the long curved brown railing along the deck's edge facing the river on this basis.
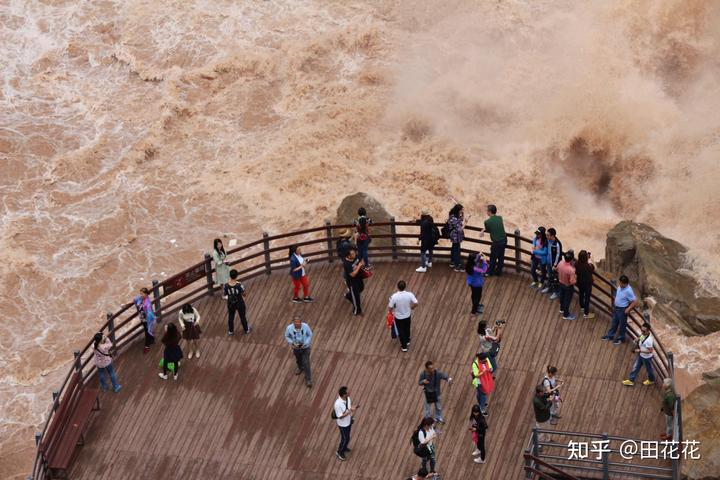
(123, 339)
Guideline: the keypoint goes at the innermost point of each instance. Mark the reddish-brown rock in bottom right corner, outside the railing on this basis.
(701, 422)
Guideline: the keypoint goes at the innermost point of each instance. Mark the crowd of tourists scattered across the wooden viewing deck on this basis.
(555, 272)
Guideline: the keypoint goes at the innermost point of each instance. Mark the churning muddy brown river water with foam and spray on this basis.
(134, 132)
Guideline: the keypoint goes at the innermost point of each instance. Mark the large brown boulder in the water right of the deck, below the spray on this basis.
(655, 266)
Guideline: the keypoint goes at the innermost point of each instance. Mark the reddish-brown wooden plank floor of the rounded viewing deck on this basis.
(239, 412)
